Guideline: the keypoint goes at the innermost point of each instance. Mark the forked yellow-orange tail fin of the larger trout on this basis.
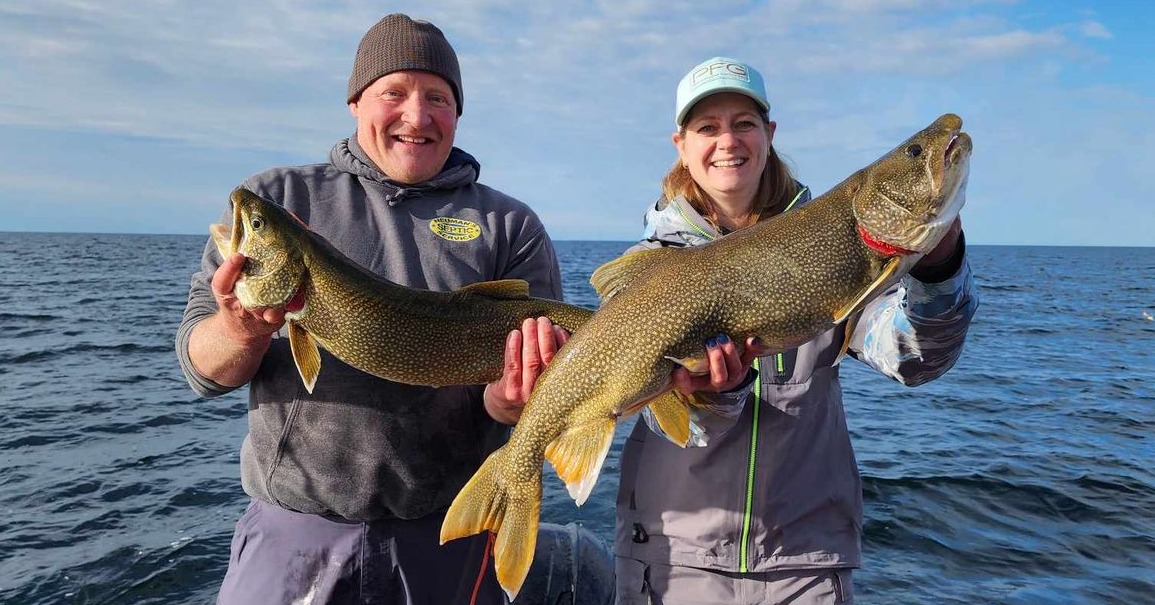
(483, 505)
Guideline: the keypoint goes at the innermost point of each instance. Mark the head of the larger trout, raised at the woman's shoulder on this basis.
(908, 199)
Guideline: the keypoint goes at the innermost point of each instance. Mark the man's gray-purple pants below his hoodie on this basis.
(280, 557)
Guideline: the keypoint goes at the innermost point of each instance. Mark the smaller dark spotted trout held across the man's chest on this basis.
(386, 330)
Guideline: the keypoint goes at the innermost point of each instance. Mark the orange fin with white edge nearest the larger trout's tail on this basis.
(579, 453)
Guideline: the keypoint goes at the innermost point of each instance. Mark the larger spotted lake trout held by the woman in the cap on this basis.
(786, 281)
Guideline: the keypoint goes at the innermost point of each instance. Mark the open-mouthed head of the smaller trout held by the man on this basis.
(273, 242)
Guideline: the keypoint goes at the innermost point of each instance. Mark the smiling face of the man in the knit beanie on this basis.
(406, 123)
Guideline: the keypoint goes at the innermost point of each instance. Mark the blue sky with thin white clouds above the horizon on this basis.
(133, 117)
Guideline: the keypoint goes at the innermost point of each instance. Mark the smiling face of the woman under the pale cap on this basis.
(725, 144)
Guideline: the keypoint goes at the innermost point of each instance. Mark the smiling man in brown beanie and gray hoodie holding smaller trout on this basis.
(349, 484)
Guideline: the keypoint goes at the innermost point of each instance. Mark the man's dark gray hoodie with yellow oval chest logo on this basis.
(360, 447)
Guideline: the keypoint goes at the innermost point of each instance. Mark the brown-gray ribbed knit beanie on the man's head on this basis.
(398, 43)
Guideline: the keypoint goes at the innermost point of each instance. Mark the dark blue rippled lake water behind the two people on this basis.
(1026, 475)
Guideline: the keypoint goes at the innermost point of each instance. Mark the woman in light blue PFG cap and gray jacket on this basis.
(771, 511)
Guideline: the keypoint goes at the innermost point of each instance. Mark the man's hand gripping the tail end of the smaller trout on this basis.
(528, 352)
